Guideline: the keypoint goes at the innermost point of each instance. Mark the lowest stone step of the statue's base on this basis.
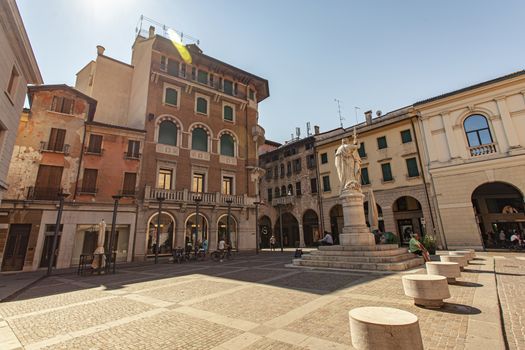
(396, 266)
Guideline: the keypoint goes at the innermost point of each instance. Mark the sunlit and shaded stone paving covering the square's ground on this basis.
(252, 302)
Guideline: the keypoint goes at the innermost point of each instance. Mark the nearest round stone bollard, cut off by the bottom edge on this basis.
(384, 328)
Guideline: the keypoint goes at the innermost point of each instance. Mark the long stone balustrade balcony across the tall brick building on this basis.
(185, 196)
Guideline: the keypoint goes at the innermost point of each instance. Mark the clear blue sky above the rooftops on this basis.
(372, 54)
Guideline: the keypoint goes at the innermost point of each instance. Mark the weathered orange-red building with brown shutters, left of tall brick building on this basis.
(60, 148)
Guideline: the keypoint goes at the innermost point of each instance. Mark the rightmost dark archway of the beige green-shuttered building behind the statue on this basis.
(408, 216)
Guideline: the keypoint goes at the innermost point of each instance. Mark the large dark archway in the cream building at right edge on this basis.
(500, 211)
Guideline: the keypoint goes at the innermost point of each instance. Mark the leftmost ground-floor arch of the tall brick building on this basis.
(166, 236)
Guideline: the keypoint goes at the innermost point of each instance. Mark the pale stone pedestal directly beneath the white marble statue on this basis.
(355, 232)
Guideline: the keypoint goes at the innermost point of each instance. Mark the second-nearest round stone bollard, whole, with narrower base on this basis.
(427, 290)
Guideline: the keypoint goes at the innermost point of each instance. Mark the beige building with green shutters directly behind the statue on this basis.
(391, 168)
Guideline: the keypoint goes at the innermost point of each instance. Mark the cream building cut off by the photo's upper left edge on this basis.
(18, 67)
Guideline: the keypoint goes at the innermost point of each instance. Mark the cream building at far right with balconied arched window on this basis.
(474, 147)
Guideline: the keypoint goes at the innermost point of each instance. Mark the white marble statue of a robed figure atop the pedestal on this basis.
(348, 164)
